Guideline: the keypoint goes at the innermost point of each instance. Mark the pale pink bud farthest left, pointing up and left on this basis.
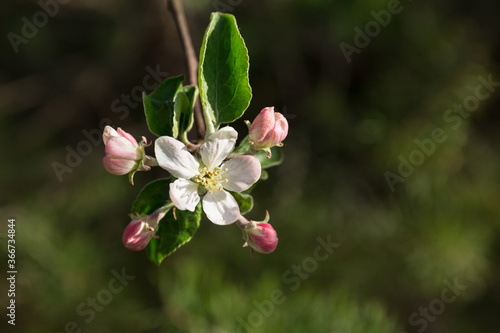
(123, 154)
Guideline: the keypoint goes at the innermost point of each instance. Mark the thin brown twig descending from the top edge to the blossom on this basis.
(175, 7)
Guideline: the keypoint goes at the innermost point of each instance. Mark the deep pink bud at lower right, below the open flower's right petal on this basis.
(261, 237)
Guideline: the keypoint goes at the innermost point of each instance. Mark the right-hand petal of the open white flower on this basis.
(242, 172)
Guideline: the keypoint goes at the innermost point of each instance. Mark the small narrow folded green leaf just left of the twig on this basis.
(183, 110)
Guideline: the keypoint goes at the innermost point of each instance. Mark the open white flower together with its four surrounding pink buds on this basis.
(207, 179)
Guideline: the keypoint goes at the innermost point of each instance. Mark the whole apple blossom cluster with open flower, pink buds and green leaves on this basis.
(207, 174)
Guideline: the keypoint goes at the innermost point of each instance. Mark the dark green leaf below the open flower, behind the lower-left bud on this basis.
(173, 231)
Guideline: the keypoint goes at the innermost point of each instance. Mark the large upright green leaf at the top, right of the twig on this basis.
(225, 90)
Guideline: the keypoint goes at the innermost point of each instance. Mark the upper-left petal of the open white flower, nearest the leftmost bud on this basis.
(173, 156)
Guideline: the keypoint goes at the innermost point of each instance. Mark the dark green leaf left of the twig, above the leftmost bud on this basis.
(159, 107)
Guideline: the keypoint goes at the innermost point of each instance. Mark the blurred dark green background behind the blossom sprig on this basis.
(349, 124)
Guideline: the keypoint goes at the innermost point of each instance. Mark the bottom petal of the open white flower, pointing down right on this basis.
(221, 207)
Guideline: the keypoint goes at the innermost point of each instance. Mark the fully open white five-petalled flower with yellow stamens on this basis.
(209, 178)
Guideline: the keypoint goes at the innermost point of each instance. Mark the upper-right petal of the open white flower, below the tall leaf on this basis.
(218, 146)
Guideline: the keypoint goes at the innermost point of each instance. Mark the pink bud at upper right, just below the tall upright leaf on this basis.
(268, 129)
